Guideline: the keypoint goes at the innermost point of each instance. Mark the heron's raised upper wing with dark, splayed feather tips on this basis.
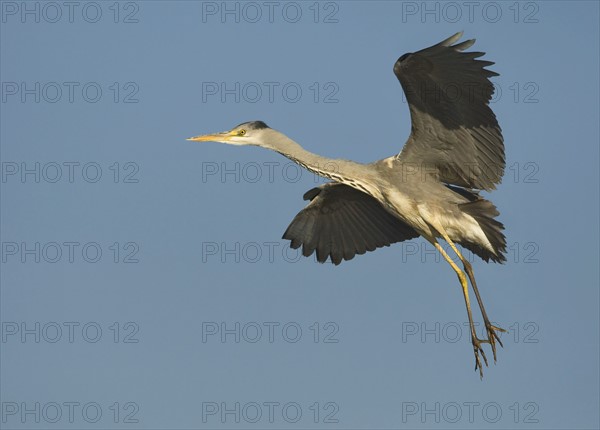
(454, 132)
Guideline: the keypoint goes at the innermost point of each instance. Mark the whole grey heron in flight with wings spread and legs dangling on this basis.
(430, 189)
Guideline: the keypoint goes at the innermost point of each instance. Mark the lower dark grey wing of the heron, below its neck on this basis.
(340, 222)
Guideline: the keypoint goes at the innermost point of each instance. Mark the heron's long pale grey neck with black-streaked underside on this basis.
(344, 171)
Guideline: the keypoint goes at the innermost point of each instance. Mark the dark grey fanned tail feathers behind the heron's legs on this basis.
(484, 212)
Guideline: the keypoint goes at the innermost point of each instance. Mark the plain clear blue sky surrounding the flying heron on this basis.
(144, 283)
